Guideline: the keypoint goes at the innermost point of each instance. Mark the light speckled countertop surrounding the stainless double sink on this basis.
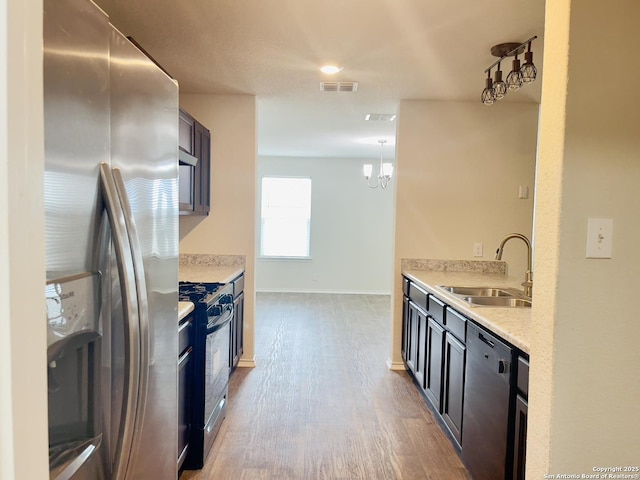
(512, 324)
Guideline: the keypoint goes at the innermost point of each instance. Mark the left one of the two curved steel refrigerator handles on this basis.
(126, 273)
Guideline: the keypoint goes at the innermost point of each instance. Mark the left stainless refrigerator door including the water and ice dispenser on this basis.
(76, 125)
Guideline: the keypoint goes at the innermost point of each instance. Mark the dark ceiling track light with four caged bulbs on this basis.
(496, 89)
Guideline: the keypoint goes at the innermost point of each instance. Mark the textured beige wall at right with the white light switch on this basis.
(585, 360)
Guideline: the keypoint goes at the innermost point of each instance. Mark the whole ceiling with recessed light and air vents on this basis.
(394, 49)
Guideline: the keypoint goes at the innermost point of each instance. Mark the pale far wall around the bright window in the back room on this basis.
(351, 230)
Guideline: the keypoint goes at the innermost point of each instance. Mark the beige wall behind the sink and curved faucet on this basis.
(459, 166)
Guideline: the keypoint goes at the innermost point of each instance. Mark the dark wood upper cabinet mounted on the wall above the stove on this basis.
(194, 141)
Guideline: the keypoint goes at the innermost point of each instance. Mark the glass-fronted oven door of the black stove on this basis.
(216, 377)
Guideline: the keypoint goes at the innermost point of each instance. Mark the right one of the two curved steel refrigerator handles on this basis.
(143, 304)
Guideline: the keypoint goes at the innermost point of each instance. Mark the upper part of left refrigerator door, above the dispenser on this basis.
(76, 126)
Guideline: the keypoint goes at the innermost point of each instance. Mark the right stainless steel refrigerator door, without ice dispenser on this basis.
(144, 151)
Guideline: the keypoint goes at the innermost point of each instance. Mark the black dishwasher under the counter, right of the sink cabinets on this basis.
(486, 405)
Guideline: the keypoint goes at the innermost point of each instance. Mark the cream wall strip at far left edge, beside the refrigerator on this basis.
(23, 381)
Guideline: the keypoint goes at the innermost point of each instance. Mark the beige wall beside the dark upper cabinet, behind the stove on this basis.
(229, 229)
